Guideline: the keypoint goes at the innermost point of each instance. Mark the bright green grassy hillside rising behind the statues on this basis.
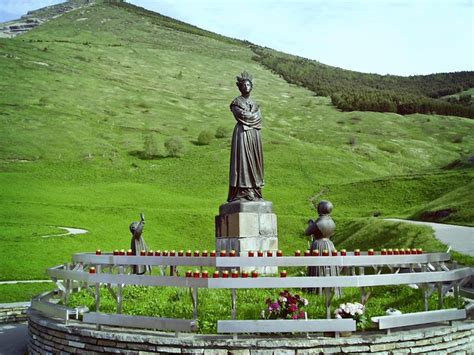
(83, 93)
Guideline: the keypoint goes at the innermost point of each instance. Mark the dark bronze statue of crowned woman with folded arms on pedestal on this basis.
(246, 157)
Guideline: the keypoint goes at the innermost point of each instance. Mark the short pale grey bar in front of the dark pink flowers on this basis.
(286, 326)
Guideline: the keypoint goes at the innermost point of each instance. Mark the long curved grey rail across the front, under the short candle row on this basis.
(266, 282)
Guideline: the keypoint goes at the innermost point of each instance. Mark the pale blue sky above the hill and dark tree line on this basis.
(400, 37)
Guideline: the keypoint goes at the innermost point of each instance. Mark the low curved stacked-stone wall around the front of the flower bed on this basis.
(52, 336)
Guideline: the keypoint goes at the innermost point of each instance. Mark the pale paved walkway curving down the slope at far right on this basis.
(460, 238)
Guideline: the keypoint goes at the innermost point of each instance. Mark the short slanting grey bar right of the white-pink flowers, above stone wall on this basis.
(394, 321)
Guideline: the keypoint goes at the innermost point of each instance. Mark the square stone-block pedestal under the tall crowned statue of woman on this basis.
(247, 226)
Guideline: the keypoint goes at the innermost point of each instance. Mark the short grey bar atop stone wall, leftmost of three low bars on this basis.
(181, 325)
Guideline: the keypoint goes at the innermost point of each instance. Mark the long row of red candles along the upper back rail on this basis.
(261, 253)
